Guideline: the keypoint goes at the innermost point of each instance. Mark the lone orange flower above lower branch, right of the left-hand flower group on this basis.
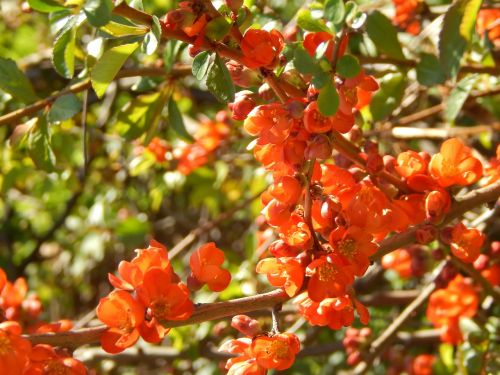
(205, 265)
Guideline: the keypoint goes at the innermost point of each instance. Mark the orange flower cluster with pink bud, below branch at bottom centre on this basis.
(258, 353)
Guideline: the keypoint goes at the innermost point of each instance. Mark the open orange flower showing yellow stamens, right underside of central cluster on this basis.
(354, 245)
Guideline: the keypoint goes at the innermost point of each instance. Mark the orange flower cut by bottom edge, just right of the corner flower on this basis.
(45, 360)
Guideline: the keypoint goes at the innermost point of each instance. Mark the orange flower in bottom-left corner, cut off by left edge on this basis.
(14, 349)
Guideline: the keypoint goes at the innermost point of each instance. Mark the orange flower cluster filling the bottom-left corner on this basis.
(17, 355)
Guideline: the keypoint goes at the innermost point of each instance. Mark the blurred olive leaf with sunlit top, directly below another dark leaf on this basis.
(389, 96)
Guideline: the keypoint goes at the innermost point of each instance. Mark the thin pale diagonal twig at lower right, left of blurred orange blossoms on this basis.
(381, 342)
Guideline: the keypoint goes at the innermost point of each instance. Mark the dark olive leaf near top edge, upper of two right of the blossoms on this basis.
(382, 32)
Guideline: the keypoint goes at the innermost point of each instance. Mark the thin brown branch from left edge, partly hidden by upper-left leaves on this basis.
(12, 117)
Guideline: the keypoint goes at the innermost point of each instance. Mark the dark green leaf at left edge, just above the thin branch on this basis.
(14, 82)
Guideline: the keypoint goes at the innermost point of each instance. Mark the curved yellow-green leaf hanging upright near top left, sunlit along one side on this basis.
(63, 54)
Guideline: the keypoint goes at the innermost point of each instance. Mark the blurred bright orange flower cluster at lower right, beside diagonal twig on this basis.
(447, 306)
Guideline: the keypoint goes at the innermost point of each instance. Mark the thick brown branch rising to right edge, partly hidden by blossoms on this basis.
(463, 204)
